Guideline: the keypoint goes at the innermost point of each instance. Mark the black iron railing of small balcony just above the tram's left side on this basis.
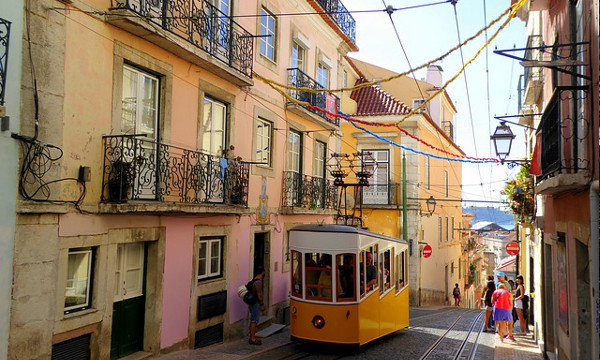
(304, 191)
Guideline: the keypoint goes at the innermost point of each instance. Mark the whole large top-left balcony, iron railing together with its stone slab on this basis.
(186, 26)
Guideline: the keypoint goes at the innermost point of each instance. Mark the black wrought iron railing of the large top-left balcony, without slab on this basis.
(201, 24)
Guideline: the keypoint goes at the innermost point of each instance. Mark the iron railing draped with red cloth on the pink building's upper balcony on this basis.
(322, 100)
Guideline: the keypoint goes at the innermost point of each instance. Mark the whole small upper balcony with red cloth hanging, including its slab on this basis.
(322, 100)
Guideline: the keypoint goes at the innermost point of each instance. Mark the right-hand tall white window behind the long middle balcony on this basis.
(213, 127)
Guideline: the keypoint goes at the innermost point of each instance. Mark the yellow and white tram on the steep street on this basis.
(349, 286)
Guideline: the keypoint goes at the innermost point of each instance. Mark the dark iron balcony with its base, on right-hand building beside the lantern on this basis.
(564, 154)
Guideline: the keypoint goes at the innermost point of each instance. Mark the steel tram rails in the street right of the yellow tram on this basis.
(432, 351)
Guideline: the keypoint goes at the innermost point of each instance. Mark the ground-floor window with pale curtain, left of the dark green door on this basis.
(79, 280)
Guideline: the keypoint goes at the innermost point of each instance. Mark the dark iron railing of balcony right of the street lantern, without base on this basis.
(564, 134)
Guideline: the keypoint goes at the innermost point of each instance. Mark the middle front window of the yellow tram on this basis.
(318, 276)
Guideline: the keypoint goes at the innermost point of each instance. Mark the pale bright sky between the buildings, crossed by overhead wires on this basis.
(428, 32)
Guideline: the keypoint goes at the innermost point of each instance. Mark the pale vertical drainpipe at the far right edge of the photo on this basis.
(595, 236)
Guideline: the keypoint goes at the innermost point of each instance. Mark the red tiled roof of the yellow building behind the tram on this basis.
(374, 101)
